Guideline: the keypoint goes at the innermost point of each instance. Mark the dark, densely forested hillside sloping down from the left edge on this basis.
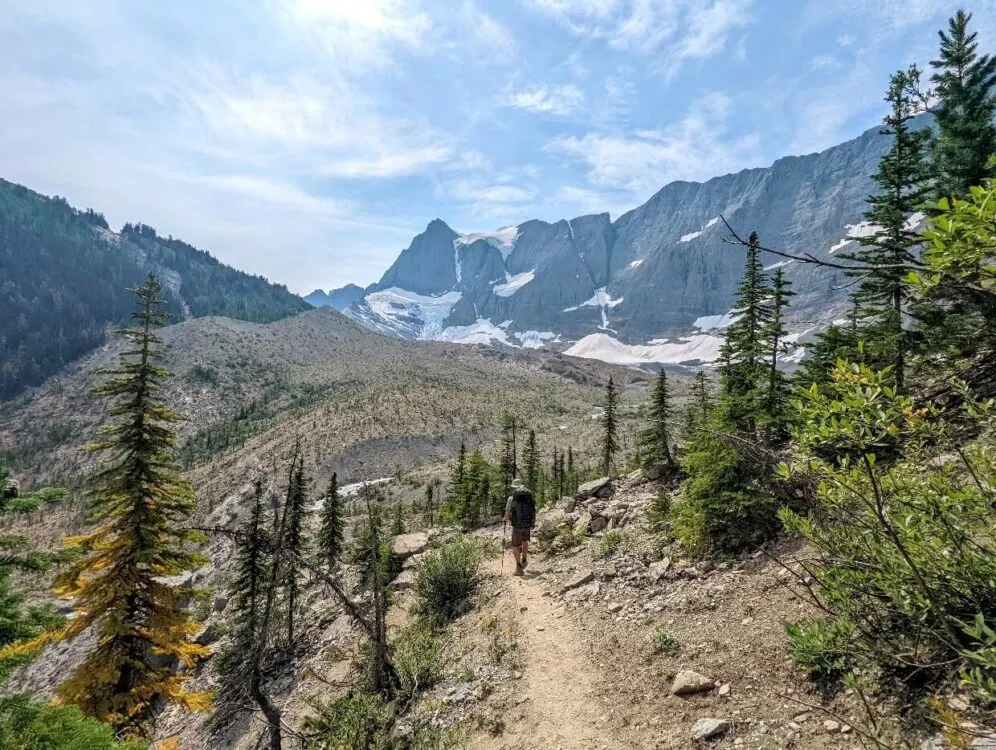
(64, 278)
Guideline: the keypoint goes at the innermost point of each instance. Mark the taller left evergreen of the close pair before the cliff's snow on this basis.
(744, 370)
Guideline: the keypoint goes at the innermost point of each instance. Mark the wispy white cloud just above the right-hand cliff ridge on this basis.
(695, 148)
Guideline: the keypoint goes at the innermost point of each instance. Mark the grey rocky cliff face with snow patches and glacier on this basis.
(652, 283)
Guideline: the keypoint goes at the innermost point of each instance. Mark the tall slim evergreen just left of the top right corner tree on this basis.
(903, 179)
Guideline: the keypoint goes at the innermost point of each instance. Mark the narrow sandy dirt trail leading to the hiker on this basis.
(565, 705)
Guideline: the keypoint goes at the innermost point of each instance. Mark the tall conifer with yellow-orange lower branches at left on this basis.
(122, 584)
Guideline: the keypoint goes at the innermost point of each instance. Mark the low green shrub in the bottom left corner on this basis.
(28, 724)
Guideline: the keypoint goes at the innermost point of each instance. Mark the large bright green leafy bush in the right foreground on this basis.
(909, 546)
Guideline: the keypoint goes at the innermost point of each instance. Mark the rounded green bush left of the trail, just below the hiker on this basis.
(446, 579)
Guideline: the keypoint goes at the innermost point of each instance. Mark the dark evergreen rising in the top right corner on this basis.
(966, 137)
